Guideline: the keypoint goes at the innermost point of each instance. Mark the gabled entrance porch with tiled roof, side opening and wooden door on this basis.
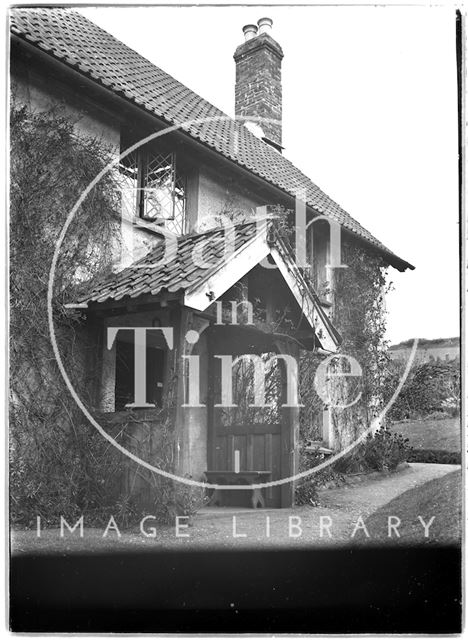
(199, 365)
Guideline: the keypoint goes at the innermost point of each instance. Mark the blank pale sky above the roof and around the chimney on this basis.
(369, 114)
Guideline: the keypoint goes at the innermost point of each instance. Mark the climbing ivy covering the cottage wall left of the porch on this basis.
(59, 464)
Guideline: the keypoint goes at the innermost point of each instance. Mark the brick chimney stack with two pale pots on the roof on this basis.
(258, 79)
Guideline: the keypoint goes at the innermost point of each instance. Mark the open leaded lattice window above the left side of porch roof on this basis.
(152, 188)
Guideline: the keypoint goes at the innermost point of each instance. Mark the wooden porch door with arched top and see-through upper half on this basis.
(264, 441)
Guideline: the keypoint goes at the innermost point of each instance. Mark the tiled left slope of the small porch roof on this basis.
(178, 274)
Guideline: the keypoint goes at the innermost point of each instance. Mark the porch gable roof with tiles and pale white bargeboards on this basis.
(200, 272)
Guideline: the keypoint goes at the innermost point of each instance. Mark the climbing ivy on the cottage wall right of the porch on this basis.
(359, 313)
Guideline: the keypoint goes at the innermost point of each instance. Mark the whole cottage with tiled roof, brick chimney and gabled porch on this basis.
(206, 279)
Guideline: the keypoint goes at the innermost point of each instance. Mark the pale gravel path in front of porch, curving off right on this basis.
(331, 523)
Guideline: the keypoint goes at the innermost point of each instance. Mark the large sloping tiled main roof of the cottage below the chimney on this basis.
(79, 43)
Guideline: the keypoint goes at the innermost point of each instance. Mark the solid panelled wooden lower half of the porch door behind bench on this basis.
(259, 447)
